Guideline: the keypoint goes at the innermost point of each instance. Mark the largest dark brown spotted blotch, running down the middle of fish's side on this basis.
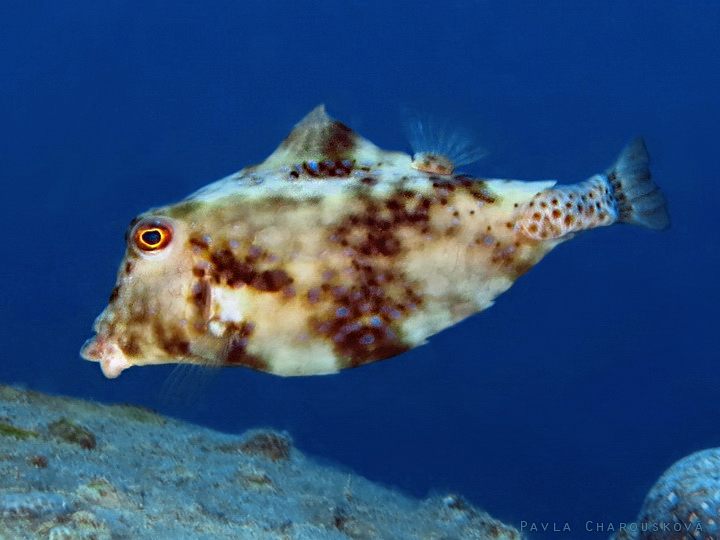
(361, 308)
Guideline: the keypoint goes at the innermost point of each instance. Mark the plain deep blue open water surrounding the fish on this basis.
(567, 399)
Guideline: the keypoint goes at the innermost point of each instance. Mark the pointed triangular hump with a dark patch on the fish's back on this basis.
(320, 138)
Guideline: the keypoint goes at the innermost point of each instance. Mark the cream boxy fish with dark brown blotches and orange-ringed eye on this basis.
(334, 253)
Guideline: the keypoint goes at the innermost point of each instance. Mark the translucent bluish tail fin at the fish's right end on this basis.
(640, 201)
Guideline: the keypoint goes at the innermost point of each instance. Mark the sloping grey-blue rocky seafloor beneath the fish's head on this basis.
(72, 469)
